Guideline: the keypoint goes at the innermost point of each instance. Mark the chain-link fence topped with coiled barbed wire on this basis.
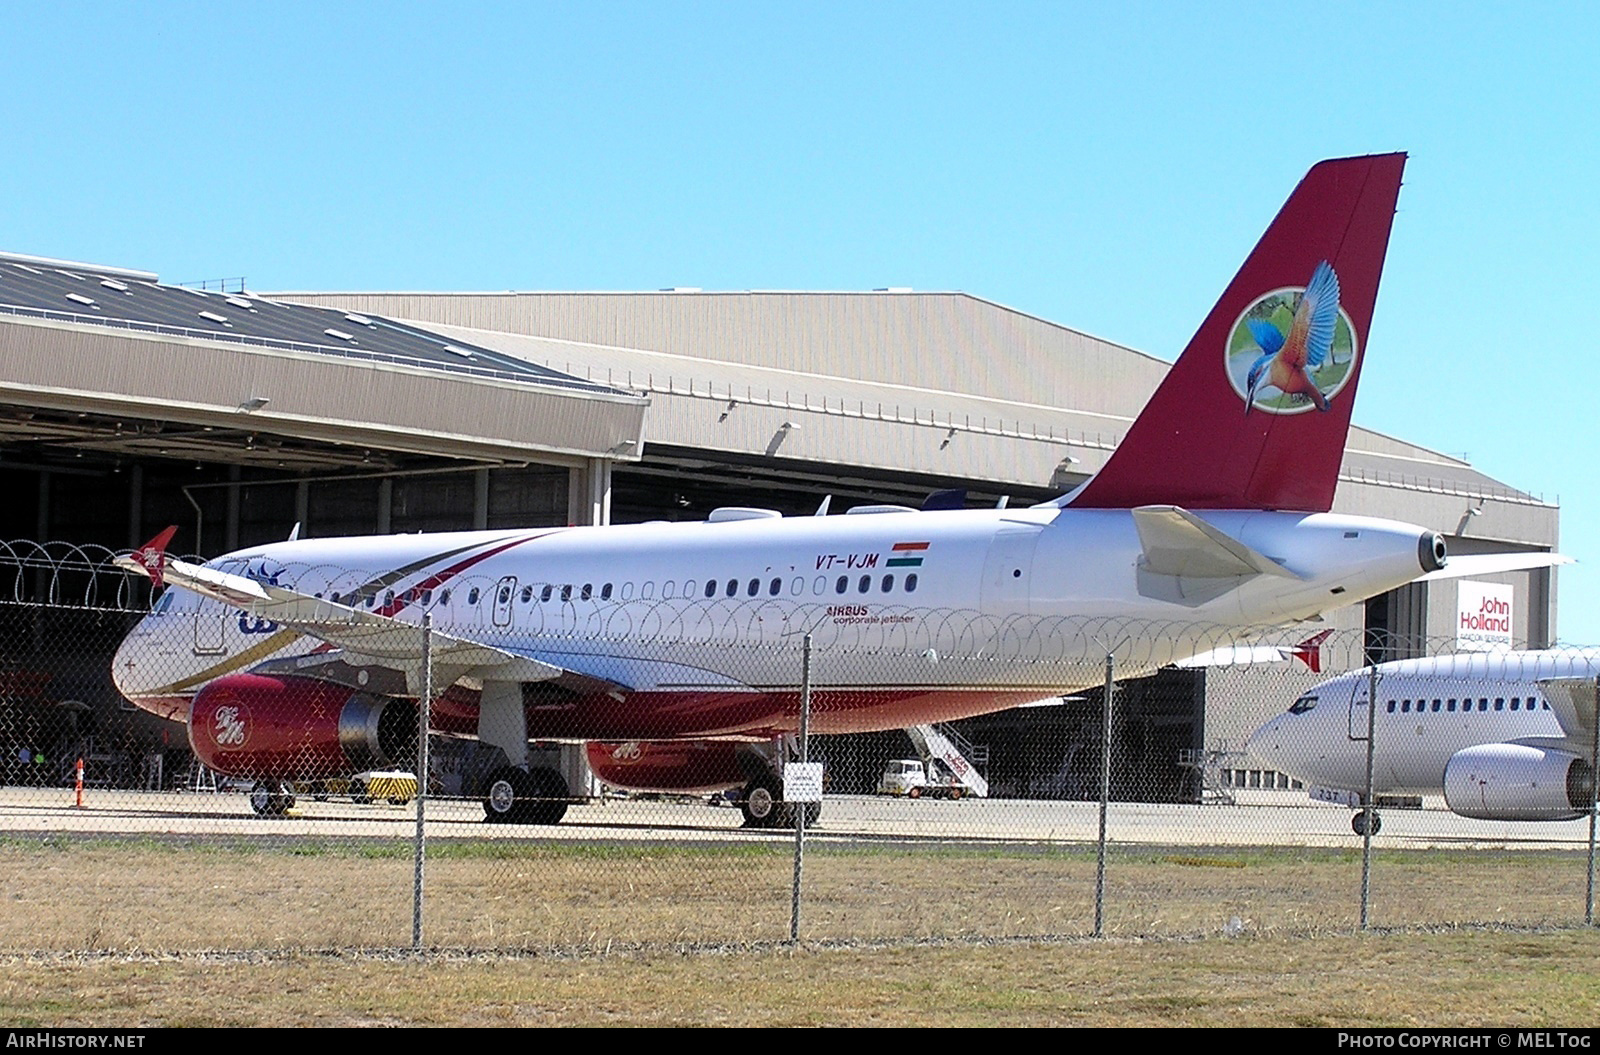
(607, 771)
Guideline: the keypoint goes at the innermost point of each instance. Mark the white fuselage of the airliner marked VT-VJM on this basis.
(999, 606)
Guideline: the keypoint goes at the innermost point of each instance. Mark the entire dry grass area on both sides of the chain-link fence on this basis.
(114, 933)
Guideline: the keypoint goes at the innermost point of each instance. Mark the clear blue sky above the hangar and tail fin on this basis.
(1106, 167)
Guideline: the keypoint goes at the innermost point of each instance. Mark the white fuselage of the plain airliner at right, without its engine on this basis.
(1428, 712)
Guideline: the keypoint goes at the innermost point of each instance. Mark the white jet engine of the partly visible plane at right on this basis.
(1519, 784)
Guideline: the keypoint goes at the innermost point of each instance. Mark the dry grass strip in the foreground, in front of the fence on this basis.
(1455, 979)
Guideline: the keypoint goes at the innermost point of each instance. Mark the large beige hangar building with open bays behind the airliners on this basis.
(129, 404)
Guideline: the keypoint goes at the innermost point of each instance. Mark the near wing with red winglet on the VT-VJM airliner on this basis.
(356, 633)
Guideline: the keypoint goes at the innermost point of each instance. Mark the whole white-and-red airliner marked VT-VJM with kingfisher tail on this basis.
(657, 643)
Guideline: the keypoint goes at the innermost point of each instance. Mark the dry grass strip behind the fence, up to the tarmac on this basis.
(74, 894)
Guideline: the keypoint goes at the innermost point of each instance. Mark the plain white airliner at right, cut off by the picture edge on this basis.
(1502, 736)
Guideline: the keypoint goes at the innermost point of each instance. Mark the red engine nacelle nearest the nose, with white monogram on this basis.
(298, 728)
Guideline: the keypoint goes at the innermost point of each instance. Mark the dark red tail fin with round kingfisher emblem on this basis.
(1255, 412)
